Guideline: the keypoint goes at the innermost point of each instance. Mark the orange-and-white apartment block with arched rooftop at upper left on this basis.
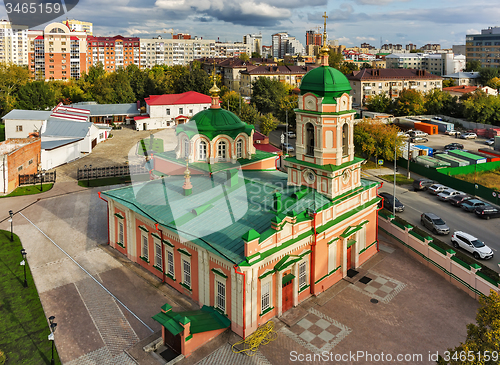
(57, 53)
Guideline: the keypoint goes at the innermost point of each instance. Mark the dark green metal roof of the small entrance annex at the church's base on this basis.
(202, 320)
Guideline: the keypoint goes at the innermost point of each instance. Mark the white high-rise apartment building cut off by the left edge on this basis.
(13, 43)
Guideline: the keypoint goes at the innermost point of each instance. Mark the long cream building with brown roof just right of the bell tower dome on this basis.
(368, 82)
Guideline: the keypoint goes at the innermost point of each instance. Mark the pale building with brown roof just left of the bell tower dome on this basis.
(292, 75)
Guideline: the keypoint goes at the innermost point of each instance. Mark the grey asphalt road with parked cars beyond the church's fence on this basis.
(456, 218)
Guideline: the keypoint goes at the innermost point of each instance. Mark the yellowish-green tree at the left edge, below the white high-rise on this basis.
(12, 78)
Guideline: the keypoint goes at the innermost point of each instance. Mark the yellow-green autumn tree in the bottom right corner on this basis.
(483, 337)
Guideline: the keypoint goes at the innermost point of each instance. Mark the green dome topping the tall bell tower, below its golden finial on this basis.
(323, 80)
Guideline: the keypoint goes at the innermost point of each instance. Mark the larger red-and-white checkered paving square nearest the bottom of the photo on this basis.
(317, 332)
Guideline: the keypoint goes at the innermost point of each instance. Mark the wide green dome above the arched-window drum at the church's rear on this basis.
(212, 122)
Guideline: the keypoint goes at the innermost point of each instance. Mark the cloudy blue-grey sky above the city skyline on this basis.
(351, 22)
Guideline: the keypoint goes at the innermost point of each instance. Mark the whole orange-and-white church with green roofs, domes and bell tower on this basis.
(248, 244)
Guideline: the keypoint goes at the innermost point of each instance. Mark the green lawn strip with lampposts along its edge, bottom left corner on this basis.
(23, 325)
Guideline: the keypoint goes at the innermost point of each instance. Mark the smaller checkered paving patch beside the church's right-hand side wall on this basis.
(380, 287)
